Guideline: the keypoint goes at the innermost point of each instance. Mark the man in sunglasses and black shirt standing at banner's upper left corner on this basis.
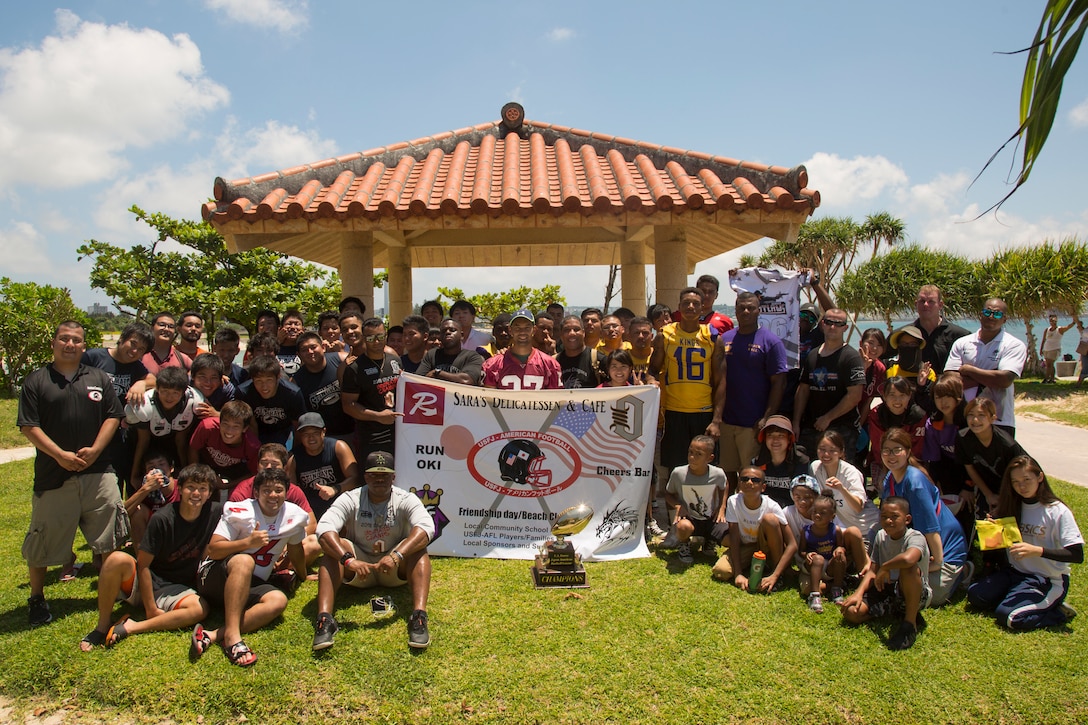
(368, 387)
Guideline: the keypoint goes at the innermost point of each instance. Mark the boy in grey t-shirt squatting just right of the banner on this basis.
(697, 495)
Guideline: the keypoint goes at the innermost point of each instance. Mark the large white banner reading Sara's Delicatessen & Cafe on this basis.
(497, 468)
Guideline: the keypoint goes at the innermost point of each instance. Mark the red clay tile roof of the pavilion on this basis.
(492, 170)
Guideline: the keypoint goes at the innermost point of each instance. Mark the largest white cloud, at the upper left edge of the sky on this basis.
(70, 108)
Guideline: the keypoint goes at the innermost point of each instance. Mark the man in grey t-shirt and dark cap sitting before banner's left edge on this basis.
(375, 536)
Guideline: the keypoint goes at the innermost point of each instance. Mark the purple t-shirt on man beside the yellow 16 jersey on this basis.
(751, 361)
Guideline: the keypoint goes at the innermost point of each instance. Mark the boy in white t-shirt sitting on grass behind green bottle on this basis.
(756, 524)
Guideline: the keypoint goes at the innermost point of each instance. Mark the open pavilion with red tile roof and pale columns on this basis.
(513, 193)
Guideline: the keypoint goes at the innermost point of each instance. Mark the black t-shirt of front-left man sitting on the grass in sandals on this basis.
(177, 545)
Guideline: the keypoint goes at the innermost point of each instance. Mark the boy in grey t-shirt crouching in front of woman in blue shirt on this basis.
(897, 583)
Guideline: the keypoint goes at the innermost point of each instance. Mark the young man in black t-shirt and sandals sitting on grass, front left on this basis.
(164, 574)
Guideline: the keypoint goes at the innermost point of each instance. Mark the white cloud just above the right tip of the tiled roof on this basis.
(844, 182)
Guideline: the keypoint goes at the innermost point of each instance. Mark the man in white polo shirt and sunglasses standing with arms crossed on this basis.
(990, 362)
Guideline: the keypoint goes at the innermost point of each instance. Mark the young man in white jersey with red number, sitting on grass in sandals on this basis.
(240, 558)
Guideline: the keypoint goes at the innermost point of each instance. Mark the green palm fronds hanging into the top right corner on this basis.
(1049, 57)
